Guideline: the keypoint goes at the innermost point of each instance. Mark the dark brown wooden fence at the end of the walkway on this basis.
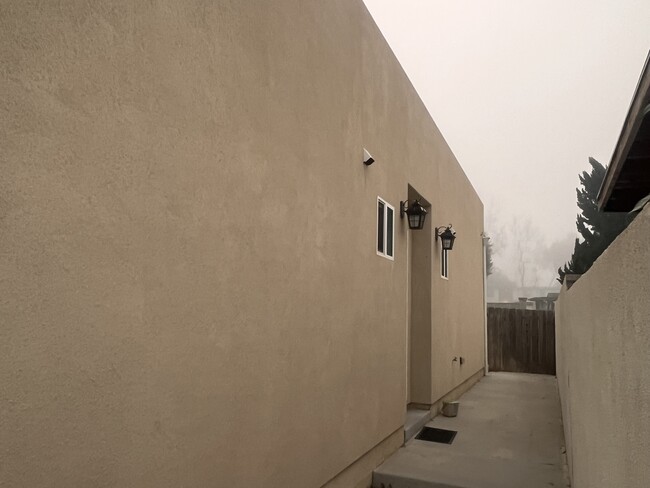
(521, 341)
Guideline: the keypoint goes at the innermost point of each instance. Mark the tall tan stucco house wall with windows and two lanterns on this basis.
(189, 289)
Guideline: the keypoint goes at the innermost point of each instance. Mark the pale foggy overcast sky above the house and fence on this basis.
(524, 92)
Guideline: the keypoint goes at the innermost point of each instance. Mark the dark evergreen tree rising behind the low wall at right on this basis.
(597, 229)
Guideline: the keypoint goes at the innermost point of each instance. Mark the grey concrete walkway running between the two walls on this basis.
(509, 436)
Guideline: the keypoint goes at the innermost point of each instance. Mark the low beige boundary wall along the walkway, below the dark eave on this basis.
(603, 364)
